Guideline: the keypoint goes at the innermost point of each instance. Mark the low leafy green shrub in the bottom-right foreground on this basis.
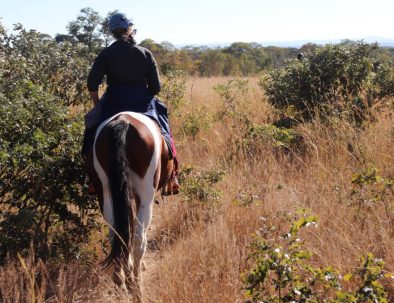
(280, 272)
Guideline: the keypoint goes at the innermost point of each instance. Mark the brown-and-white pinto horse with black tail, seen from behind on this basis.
(129, 162)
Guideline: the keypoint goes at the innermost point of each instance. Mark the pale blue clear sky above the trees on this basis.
(210, 21)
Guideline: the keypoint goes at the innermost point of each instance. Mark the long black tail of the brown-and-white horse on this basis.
(119, 185)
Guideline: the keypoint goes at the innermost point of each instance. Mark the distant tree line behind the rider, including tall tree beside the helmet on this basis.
(237, 59)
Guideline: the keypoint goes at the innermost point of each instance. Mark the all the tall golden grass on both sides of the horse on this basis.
(198, 251)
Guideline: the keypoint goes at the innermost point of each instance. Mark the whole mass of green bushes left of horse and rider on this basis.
(44, 200)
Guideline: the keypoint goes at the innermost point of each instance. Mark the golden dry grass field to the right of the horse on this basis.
(206, 264)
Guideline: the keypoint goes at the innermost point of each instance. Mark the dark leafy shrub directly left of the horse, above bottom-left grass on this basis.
(43, 198)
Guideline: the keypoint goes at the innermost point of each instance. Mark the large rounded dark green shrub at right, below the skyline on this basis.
(332, 80)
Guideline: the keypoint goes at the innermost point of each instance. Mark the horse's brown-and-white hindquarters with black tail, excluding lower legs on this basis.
(130, 160)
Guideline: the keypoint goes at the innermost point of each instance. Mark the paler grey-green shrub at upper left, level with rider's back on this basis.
(57, 68)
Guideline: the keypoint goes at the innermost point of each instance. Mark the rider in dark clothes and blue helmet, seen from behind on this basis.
(132, 79)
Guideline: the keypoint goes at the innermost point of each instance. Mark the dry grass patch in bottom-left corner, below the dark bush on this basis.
(27, 281)
